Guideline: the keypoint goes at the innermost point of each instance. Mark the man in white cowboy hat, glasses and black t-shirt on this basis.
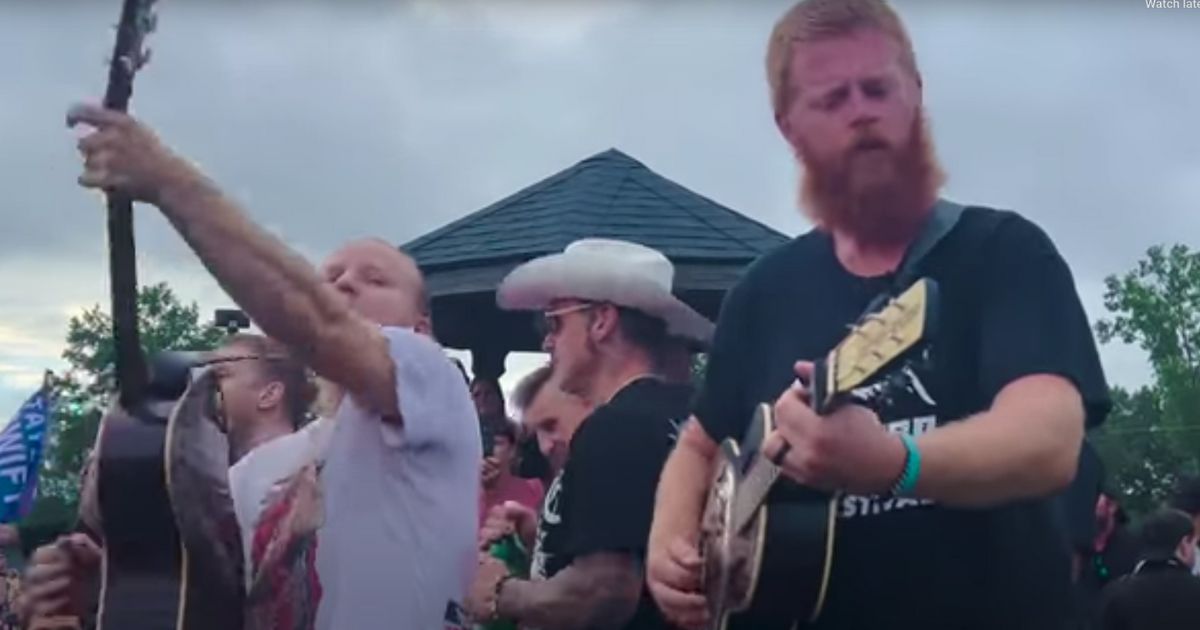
(610, 315)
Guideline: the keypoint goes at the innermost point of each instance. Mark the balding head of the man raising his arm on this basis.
(381, 284)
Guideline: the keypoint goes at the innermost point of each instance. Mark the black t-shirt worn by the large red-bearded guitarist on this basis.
(1009, 309)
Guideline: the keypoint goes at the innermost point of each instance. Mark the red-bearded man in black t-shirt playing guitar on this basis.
(945, 506)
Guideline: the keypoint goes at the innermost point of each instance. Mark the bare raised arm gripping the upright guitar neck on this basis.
(278, 289)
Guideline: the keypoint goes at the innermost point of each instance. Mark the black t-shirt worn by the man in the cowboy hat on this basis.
(604, 499)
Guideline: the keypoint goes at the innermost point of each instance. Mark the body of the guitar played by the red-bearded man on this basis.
(777, 566)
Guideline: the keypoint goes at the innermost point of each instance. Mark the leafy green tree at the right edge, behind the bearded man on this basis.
(1155, 434)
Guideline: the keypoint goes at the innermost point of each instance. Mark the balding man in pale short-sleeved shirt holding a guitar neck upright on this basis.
(382, 509)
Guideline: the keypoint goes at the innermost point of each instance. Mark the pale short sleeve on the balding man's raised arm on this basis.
(433, 394)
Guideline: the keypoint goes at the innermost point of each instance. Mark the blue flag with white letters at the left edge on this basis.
(21, 457)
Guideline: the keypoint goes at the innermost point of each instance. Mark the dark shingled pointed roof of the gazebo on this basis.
(609, 195)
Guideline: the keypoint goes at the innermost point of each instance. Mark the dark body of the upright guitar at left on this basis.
(172, 545)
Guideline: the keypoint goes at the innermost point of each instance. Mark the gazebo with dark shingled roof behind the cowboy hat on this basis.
(609, 195)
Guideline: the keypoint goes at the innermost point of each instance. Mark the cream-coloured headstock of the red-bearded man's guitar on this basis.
(878, 344)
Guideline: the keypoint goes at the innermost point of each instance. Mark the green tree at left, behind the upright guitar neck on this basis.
(83, 393)
